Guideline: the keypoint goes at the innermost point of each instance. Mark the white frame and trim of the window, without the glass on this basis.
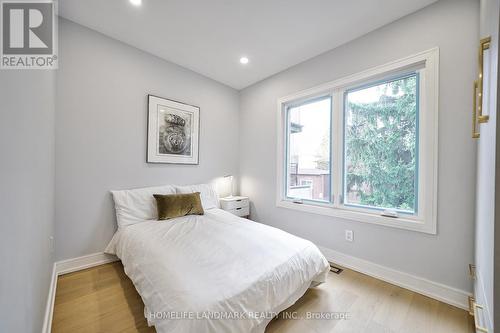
(425, 219)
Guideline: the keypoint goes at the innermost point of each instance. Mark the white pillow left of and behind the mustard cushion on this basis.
(138, 205)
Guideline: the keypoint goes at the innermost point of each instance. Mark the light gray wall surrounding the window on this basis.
(453, 27)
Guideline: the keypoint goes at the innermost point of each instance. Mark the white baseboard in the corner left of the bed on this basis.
(68, 266)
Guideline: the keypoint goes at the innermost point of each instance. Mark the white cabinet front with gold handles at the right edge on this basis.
(486, 171)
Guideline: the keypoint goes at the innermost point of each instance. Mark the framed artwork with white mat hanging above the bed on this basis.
(173, 131)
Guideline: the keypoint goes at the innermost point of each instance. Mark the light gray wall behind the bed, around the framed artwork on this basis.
(101, 126)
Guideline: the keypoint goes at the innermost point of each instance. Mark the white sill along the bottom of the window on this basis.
(399, 222)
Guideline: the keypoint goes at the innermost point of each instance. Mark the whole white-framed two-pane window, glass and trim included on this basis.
(364, 147)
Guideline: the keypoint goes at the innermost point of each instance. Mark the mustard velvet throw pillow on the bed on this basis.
(176, 205)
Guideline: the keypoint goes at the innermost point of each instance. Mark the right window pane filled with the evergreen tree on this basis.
(381, 155)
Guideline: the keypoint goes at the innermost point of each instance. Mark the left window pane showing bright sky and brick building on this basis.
(308, 151)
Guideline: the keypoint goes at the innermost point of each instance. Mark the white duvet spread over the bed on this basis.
(216, 272)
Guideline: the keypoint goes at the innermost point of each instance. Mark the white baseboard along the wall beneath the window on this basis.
(435, 290)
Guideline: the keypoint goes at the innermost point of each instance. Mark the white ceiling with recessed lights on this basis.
(210, 36)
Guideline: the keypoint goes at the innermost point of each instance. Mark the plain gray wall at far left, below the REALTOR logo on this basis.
(26, 197)
